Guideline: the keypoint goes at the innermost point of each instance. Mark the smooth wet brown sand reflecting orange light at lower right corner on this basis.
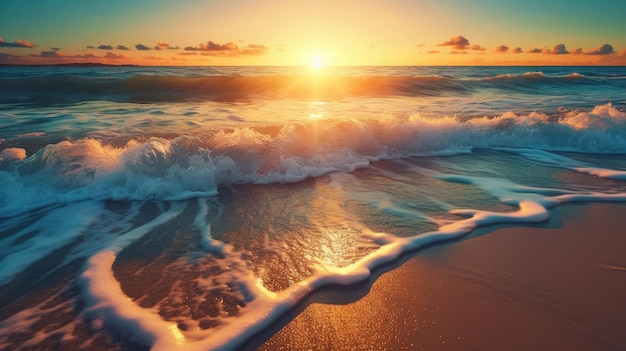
(560, 285)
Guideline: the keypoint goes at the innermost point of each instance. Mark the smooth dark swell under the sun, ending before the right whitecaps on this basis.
(154, 88)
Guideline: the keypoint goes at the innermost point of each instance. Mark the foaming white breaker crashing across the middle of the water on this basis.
(187, 166)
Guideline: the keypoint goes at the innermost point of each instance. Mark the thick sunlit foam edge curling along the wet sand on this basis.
(265, 307)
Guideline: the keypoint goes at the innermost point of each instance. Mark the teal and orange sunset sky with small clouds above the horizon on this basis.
(320, 32)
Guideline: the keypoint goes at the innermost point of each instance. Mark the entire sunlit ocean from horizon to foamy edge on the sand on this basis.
(193, 207)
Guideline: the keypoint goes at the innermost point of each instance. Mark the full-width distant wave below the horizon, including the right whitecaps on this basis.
(160, 88)
